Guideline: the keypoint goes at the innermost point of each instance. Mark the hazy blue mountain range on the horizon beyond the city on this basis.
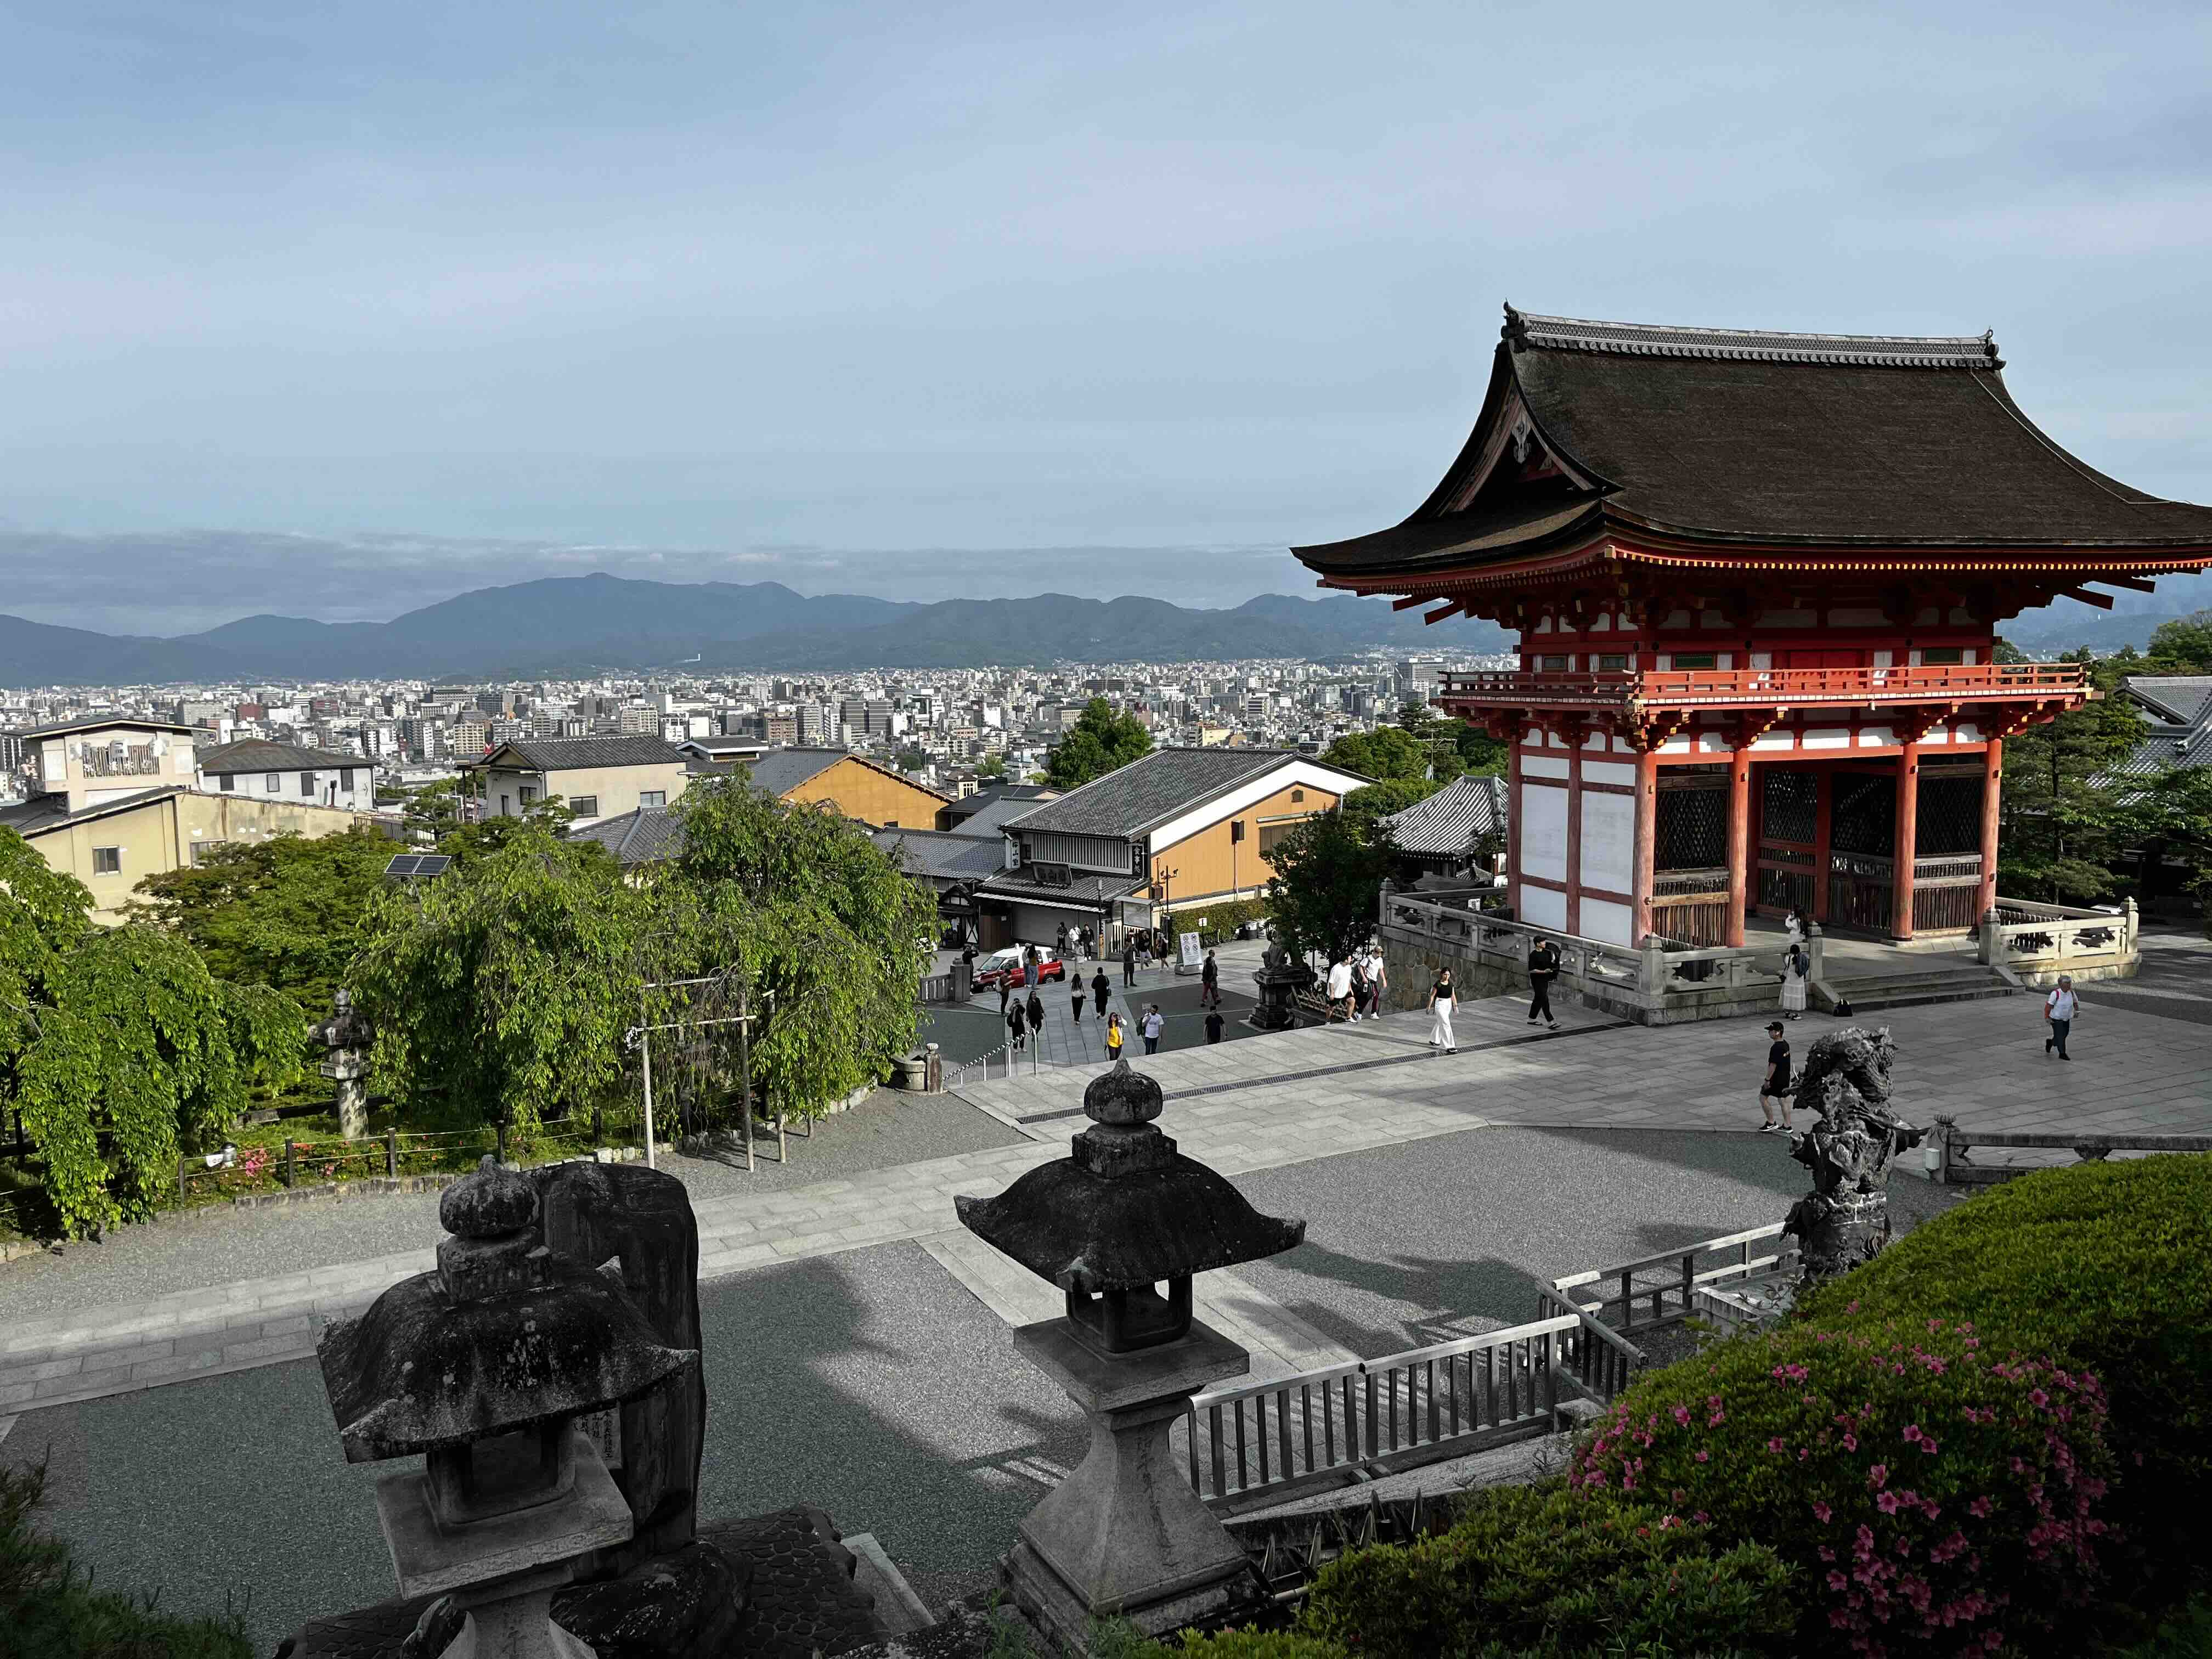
(607, 625)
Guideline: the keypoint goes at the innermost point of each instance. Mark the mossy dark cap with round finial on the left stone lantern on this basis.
(501, 1337)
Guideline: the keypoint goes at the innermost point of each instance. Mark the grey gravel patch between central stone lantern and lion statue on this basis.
(1454, 1235)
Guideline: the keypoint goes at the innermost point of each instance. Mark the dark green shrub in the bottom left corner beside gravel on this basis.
(50, 1611)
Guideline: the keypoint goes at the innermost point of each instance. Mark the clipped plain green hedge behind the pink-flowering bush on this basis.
(2103, 1266)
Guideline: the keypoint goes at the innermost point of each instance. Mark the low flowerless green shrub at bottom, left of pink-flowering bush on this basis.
(1554, 1572)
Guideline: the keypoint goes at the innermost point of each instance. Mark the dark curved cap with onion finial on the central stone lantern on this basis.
(1125, 1211)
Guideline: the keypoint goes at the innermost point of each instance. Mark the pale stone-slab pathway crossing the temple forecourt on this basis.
(1242, 1107)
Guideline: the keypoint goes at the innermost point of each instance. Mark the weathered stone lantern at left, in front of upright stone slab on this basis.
(483, 1368)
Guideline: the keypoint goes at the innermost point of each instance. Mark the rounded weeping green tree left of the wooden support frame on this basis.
(503, 990)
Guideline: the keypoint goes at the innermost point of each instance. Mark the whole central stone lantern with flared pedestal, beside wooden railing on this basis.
(1123, 1227)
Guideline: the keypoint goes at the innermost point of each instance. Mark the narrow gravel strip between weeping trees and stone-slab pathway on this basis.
(213, 1249)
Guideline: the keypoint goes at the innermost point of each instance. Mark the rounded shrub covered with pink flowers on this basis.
(1939, 1496)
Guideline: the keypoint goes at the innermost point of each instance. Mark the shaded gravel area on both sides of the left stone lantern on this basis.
(868, 1384)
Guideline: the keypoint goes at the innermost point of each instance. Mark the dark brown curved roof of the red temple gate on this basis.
(1735, 437)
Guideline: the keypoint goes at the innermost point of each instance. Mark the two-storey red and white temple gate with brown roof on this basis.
(1757, 583)
